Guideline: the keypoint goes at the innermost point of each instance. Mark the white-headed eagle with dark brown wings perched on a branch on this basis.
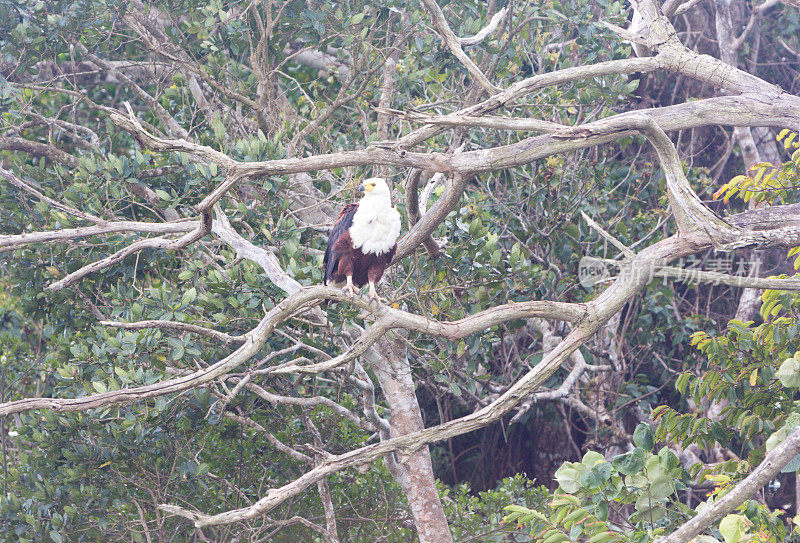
(363, 240)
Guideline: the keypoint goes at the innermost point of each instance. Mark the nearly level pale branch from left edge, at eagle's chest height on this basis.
(14, 241)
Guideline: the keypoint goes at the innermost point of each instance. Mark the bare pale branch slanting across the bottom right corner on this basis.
(766, 471)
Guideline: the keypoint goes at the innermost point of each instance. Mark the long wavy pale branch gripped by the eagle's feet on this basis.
(307, 297)
